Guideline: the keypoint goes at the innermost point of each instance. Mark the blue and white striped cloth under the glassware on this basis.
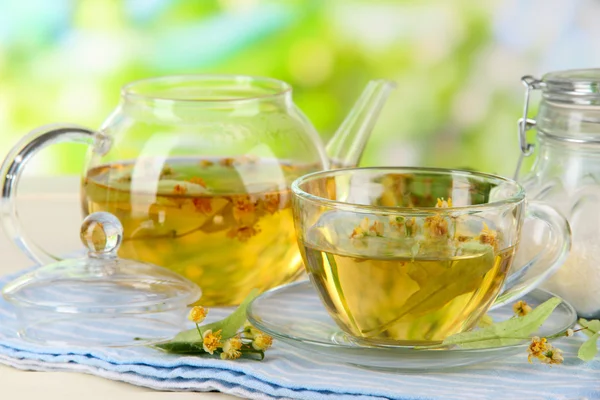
(288, 373)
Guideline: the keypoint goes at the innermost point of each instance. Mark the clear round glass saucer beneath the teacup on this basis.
(294, 314)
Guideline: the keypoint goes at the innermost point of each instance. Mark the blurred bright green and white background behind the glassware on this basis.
(457, 64)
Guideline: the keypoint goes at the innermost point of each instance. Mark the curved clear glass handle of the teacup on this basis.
(543, 264)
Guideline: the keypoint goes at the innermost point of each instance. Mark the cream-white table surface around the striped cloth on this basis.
(49, 208)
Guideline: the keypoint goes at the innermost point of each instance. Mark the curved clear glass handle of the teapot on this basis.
(14, 164)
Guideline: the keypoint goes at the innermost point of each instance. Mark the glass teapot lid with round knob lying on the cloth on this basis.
(100, 299)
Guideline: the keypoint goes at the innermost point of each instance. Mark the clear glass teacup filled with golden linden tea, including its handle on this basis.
(412, 255)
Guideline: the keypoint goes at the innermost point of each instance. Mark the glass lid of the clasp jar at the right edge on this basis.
(579, 86)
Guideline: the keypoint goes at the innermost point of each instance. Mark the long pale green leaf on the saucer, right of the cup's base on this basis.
(513, 331)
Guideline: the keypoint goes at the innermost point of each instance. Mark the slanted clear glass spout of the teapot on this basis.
(346, 147)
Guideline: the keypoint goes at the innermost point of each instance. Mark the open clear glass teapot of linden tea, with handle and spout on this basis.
(197, 168)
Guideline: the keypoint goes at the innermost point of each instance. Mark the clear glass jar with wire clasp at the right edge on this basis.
(566, 174)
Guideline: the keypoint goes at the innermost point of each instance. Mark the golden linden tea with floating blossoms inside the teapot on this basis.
(204, 222)
